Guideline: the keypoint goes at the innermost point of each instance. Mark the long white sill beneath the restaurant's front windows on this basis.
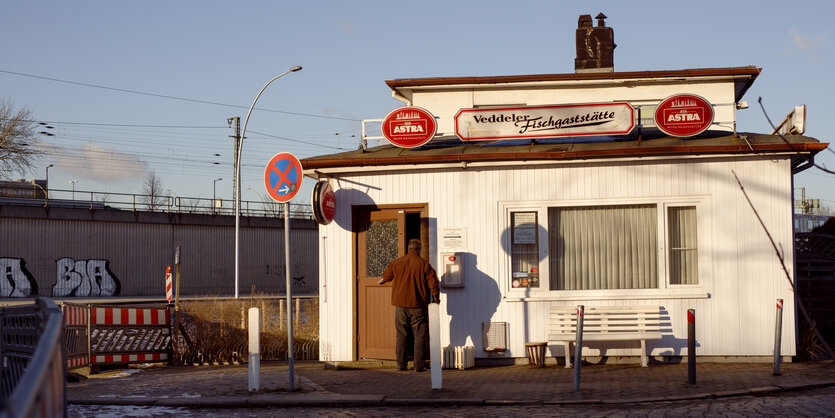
(587, 295)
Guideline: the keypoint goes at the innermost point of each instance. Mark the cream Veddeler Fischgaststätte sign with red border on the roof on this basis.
(617, 118)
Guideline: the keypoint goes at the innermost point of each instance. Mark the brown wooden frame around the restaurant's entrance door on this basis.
(423, 209)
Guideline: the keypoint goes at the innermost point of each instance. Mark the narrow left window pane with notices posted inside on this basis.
(524, 249)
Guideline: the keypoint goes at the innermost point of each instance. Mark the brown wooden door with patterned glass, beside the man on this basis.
(382, 235)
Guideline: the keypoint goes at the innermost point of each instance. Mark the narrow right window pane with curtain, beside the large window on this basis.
(683, 248)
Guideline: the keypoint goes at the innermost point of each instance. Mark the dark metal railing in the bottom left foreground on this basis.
(32, 365)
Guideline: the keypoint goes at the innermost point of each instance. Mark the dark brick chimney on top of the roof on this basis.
(595, 46)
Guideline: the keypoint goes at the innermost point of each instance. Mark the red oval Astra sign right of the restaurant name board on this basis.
(683, 115)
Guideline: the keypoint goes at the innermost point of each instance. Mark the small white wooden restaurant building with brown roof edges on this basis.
(534, 220)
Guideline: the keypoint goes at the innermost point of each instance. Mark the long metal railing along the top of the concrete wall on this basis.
(156, 203)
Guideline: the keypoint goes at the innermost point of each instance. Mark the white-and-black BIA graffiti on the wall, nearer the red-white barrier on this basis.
(86, 278)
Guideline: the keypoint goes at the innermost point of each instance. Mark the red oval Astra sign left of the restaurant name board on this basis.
(409, 127)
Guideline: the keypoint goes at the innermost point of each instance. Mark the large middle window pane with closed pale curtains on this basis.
(605, 247)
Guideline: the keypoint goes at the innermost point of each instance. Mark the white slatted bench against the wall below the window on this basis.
(605, 323)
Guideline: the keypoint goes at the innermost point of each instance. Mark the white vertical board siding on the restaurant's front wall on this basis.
(737, 319)
